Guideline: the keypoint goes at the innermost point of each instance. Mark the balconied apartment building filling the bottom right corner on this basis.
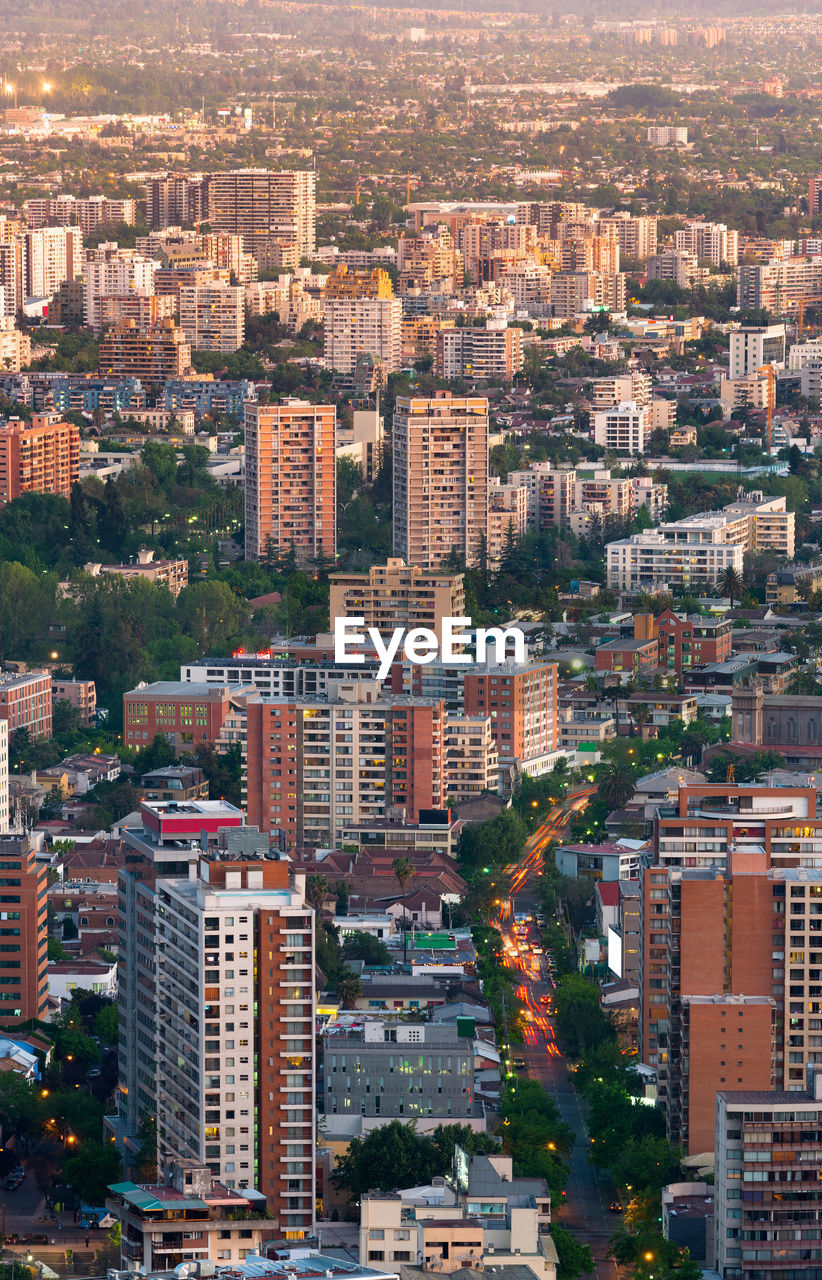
(768, 1194)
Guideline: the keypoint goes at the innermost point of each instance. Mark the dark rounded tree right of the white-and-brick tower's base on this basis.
(391, 1158)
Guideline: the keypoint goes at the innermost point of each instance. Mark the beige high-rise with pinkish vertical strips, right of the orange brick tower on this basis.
(441, 479)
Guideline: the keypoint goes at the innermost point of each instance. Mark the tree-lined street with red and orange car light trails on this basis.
(590, 1191)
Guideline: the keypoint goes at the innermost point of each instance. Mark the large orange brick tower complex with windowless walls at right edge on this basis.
(732, 949)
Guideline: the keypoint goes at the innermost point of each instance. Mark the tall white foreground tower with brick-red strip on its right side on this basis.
(230, 1039)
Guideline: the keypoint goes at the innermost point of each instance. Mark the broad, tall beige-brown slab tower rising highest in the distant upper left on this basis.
(266, 207)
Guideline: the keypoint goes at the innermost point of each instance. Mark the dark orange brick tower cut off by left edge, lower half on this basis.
(24, 932)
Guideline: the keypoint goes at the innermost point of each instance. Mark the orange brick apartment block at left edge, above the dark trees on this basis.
(39, 459)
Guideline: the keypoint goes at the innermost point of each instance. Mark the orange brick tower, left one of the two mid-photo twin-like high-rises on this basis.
(291, 481)
